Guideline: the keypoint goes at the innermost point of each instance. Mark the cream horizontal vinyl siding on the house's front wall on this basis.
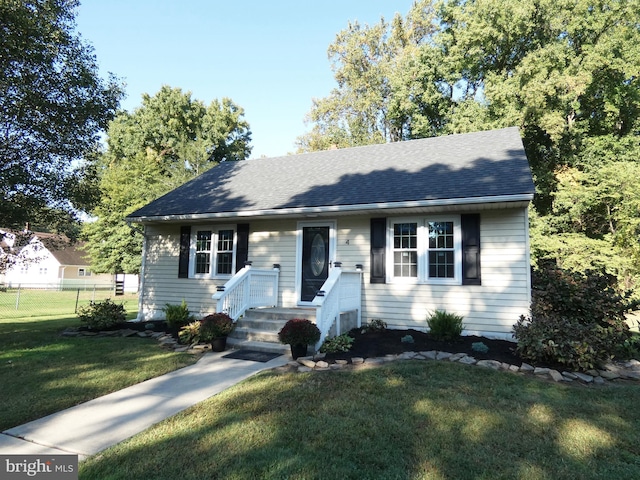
(491, 308)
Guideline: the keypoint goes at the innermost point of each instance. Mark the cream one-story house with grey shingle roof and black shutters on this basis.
(391, 231)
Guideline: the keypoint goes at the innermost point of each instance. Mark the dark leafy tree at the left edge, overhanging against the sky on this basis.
(53, 105)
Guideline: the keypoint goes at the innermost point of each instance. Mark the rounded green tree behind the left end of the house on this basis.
(165, 142)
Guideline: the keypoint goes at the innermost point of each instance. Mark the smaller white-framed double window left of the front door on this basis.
(212, 252)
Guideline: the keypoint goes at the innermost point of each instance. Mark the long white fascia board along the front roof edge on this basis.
(302, 211)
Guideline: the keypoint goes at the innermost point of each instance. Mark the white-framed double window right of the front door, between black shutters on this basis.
(426, 250)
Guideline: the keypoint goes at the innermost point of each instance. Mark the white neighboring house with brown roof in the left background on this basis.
(53, 262)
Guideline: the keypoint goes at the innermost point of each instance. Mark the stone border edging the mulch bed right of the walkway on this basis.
(611, 372)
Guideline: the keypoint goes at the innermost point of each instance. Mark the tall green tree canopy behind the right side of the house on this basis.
(567, 72)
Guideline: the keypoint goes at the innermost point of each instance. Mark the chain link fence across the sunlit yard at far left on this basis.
(32, 301)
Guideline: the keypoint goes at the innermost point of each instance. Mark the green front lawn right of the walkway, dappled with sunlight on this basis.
(406, 420)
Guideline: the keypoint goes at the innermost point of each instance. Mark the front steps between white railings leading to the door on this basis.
(258, 328)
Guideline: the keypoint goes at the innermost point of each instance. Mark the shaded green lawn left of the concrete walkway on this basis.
(42, 372)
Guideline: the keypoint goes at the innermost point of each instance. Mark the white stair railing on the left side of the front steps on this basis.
(249, 288)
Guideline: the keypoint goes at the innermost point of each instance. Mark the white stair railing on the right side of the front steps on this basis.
(341, 292)
